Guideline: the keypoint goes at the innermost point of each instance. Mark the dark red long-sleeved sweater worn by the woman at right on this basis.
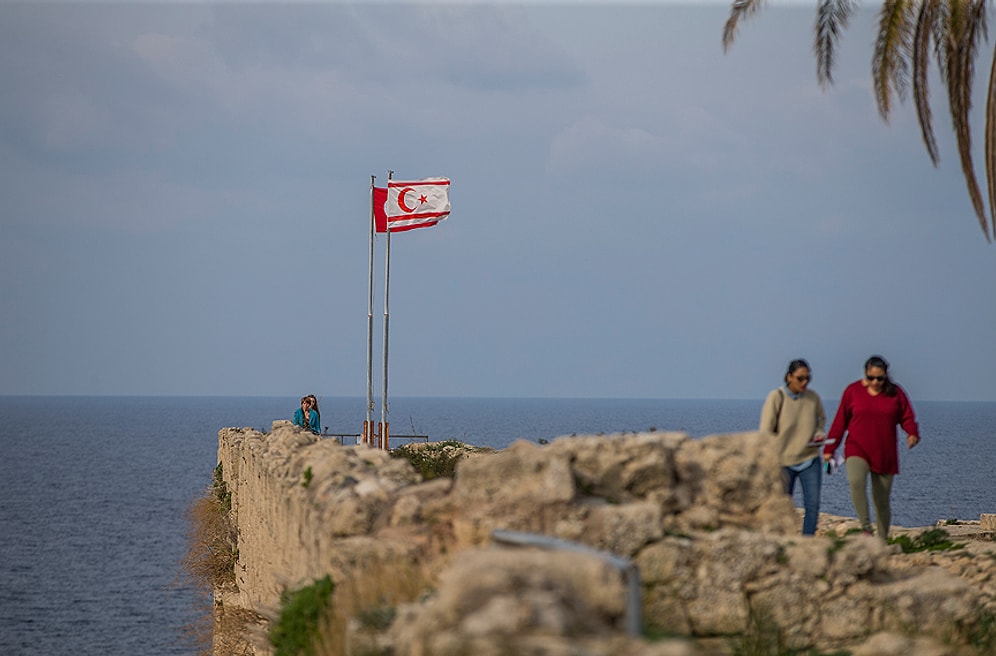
(870, 423)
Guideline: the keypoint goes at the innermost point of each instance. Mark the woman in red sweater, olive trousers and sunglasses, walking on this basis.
(869, 411)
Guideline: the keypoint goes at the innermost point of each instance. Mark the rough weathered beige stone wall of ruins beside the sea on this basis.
(715, 541)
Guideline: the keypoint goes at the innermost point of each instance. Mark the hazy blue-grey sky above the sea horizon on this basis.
(635, 213)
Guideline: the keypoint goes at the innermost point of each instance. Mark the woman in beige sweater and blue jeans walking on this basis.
(794, 414)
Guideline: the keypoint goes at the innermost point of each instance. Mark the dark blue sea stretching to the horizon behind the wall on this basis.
(94, 491)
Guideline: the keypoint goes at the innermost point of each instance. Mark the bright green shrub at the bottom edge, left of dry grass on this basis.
(297, 630)
